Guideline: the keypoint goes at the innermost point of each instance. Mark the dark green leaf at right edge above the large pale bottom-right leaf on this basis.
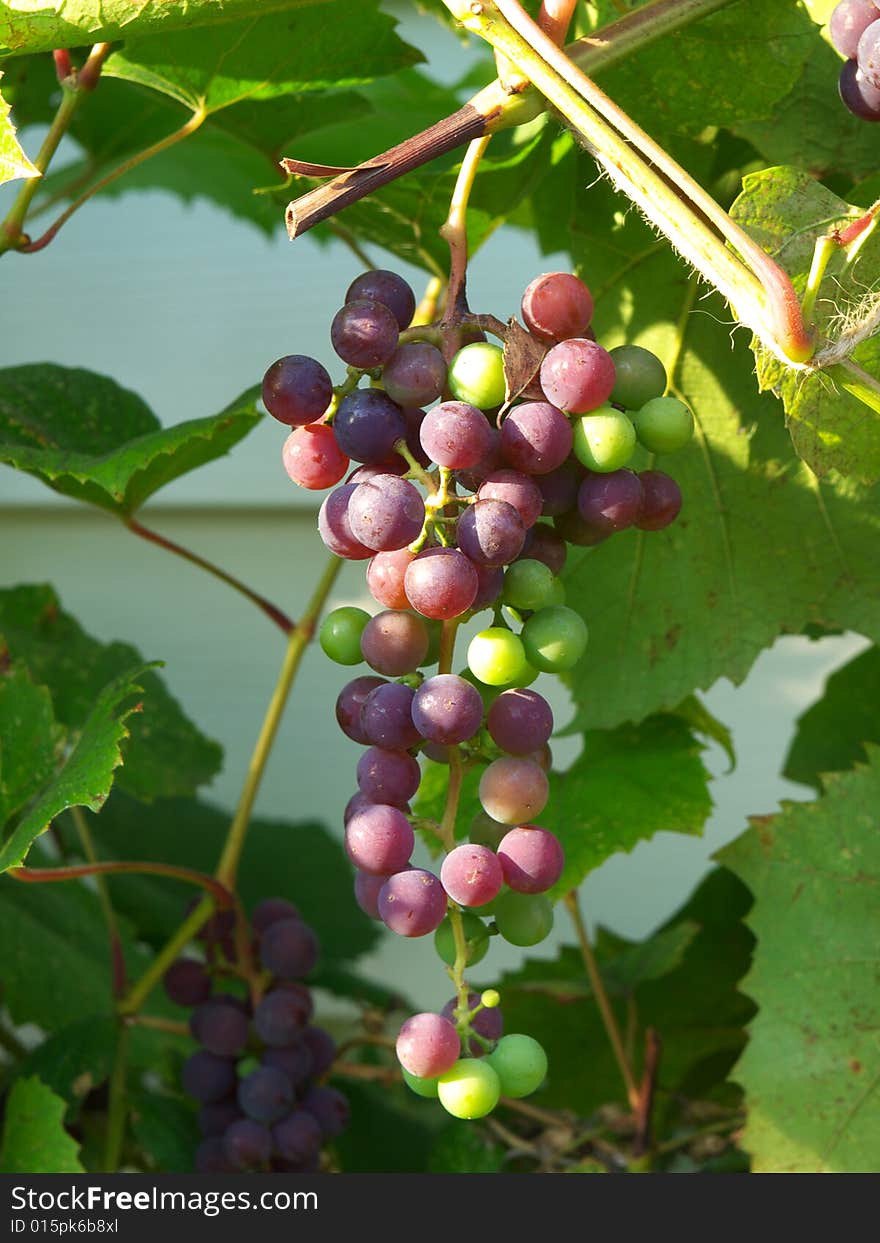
(832, 734)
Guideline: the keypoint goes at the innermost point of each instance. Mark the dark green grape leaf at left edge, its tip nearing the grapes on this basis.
(86, 437)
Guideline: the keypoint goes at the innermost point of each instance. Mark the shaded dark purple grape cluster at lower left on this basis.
(258, 1072)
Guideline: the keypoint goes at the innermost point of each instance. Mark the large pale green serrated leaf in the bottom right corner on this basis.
(812, 1066)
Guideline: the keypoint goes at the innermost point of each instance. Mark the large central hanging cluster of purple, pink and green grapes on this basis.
(493, 470)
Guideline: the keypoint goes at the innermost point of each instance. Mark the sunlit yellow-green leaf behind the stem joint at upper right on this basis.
(786, 211)
